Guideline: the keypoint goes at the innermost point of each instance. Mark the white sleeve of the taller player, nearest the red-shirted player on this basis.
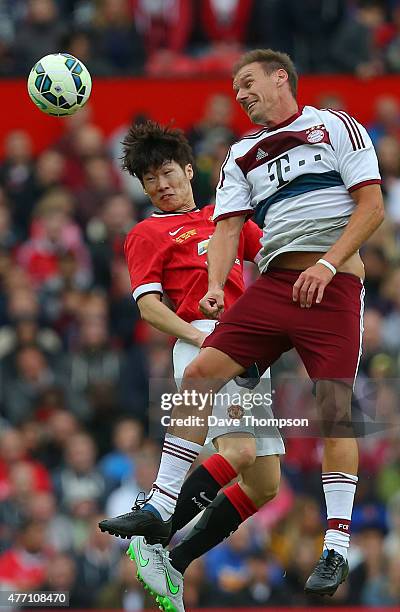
(233, 191)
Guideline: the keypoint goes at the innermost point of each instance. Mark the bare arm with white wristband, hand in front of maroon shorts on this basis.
(366, 218)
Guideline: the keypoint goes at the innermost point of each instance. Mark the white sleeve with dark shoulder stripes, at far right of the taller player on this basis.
(357, 160)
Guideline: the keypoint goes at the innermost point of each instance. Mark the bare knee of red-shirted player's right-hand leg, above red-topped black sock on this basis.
(261, 480)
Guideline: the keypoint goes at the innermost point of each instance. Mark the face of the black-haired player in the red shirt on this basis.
(169, 186)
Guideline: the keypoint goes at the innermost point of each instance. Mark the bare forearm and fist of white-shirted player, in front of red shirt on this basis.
(221, 255)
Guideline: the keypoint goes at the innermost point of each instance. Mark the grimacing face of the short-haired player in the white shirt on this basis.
(258, 92)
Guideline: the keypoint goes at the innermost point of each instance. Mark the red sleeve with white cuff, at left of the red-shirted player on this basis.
(145, 265)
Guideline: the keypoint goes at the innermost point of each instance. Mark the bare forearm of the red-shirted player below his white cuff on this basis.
(161, 317)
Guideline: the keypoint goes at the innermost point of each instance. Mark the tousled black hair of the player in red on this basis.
(149, 145)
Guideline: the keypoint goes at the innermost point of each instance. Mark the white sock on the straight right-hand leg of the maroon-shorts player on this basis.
(339, 489)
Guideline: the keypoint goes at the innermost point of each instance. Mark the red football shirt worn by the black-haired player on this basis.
(167, 253)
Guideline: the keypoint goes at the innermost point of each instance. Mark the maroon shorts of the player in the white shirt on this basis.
(265, 322)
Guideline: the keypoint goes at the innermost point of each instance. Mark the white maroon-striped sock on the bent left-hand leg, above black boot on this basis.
(176, 460)
